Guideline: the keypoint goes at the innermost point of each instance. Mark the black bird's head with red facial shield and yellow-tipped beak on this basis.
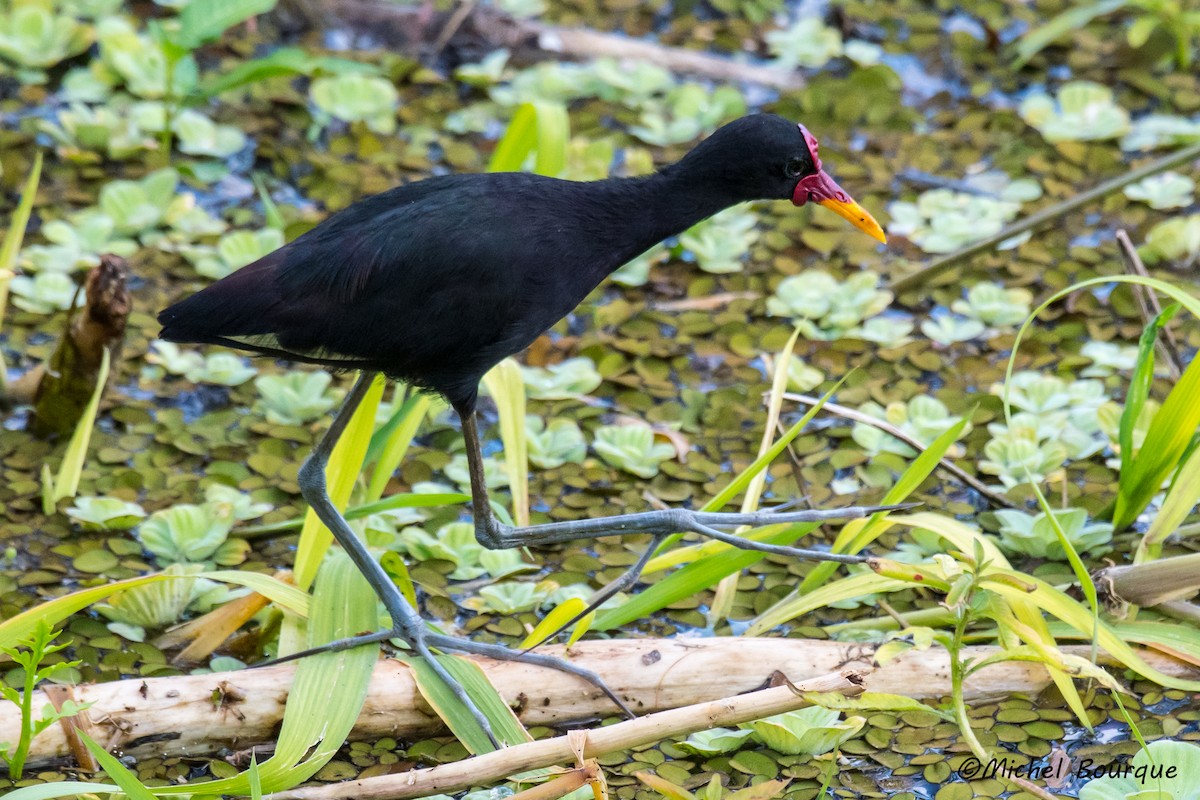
(765, 157)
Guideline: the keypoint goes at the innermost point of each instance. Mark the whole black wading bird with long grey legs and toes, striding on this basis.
(435, 282)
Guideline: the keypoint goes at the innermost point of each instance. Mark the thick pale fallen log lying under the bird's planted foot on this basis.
(201, 715)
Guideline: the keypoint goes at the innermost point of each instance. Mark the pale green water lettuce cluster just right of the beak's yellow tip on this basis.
(943, 221)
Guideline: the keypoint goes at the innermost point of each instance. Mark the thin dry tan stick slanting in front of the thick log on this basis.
(500, 765)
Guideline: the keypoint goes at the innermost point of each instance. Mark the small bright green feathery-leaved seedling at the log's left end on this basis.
(29, 654)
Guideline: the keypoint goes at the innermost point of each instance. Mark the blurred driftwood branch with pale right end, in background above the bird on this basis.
(478, 28)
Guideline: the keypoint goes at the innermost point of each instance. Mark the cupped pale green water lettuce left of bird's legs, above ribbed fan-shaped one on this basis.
(193, 534)
